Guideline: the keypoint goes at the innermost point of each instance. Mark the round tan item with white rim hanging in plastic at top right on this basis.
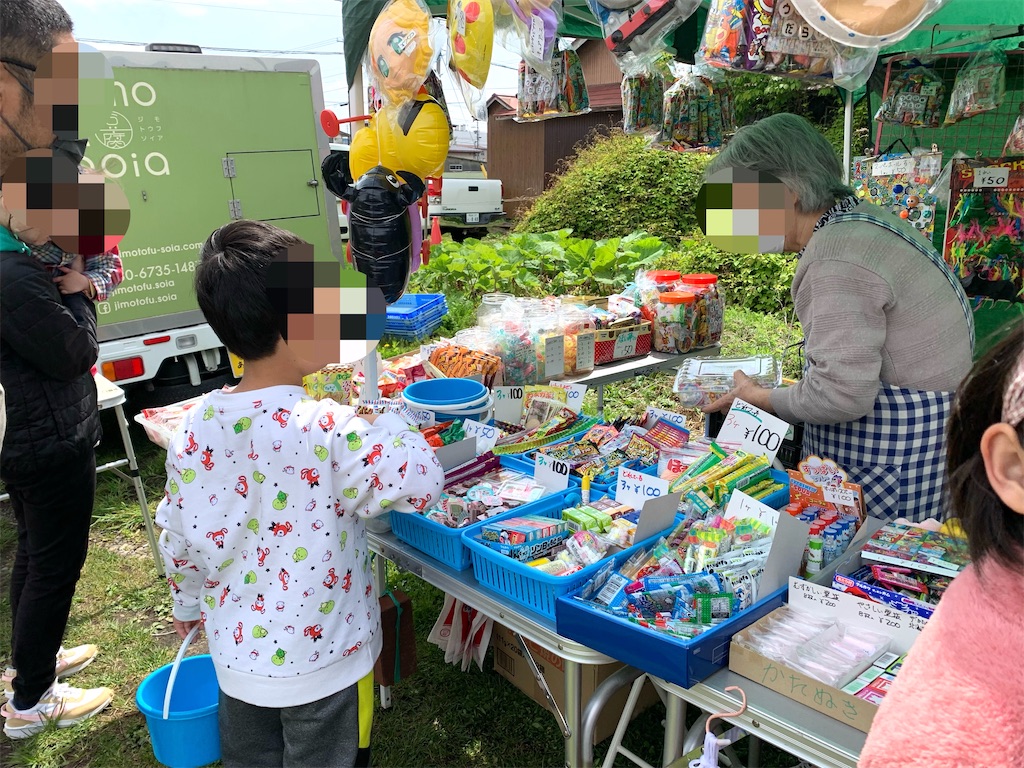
(866, 25)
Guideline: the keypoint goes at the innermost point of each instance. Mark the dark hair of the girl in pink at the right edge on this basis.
(993, 529)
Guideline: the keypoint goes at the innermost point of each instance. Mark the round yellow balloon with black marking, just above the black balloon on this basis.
(414, 139)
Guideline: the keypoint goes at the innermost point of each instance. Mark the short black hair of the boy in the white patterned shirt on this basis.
(231, 286)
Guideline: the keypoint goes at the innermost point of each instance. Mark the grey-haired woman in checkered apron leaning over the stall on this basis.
(888, 330)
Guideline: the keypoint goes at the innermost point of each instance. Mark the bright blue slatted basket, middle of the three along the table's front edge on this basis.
(531, 587)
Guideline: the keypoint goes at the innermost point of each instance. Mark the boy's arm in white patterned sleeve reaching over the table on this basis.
(388, 466)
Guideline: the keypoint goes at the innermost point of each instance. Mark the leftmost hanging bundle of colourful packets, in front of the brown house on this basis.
(561, 95)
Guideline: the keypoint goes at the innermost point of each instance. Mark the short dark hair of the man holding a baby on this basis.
(29, 30)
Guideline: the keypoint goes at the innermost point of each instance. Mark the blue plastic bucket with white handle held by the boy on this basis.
(189, 736)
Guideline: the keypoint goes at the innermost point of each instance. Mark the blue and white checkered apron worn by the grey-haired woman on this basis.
(897, 453)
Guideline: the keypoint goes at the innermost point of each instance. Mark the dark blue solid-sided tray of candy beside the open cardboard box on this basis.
(685, 663)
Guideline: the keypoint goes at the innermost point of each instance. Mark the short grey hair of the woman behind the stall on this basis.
(791, 149)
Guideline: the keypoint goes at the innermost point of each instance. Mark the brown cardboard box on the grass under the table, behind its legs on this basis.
(511, 665)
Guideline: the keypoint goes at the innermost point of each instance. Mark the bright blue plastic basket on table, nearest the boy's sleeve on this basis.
(446, 545)
